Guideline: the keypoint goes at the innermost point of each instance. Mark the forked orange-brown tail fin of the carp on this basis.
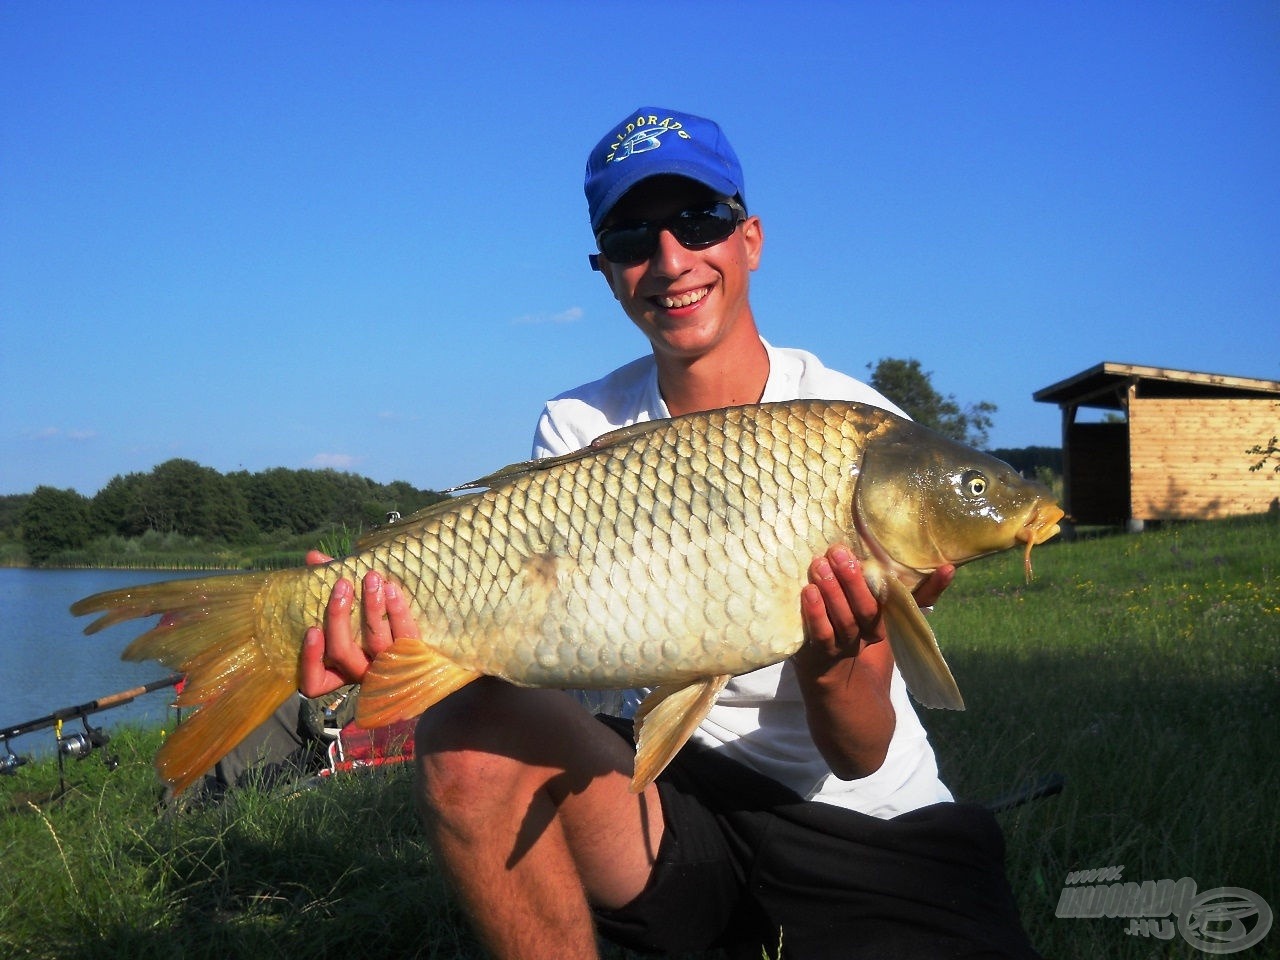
(222, 634)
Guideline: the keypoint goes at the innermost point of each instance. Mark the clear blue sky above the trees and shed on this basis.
(308, 235)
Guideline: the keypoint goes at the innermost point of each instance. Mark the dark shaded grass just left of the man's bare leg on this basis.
(335, 872)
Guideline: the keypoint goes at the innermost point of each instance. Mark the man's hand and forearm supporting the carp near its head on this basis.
(843, 668)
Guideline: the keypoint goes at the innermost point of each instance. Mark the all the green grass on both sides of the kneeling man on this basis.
(1145, 669)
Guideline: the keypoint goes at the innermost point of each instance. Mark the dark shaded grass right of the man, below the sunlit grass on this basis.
(1162, 762)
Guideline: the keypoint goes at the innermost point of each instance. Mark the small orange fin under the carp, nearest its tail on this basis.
(405, 680)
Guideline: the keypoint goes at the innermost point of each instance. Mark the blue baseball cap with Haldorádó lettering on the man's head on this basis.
(653, 141)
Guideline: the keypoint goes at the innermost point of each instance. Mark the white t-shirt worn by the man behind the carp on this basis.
(760, 717)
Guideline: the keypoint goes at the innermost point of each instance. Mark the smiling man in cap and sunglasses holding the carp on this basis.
(808, 806)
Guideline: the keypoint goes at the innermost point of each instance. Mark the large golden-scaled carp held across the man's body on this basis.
(668, 555)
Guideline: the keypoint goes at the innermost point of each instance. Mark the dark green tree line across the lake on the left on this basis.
(185, 500)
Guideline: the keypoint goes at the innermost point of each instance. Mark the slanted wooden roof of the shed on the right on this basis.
(1107, 385)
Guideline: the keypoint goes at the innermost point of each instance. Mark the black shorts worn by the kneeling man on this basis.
(744, 862)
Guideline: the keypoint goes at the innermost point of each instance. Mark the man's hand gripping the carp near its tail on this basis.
(331, 657)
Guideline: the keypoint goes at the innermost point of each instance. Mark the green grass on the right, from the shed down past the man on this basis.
(1146, 670)
